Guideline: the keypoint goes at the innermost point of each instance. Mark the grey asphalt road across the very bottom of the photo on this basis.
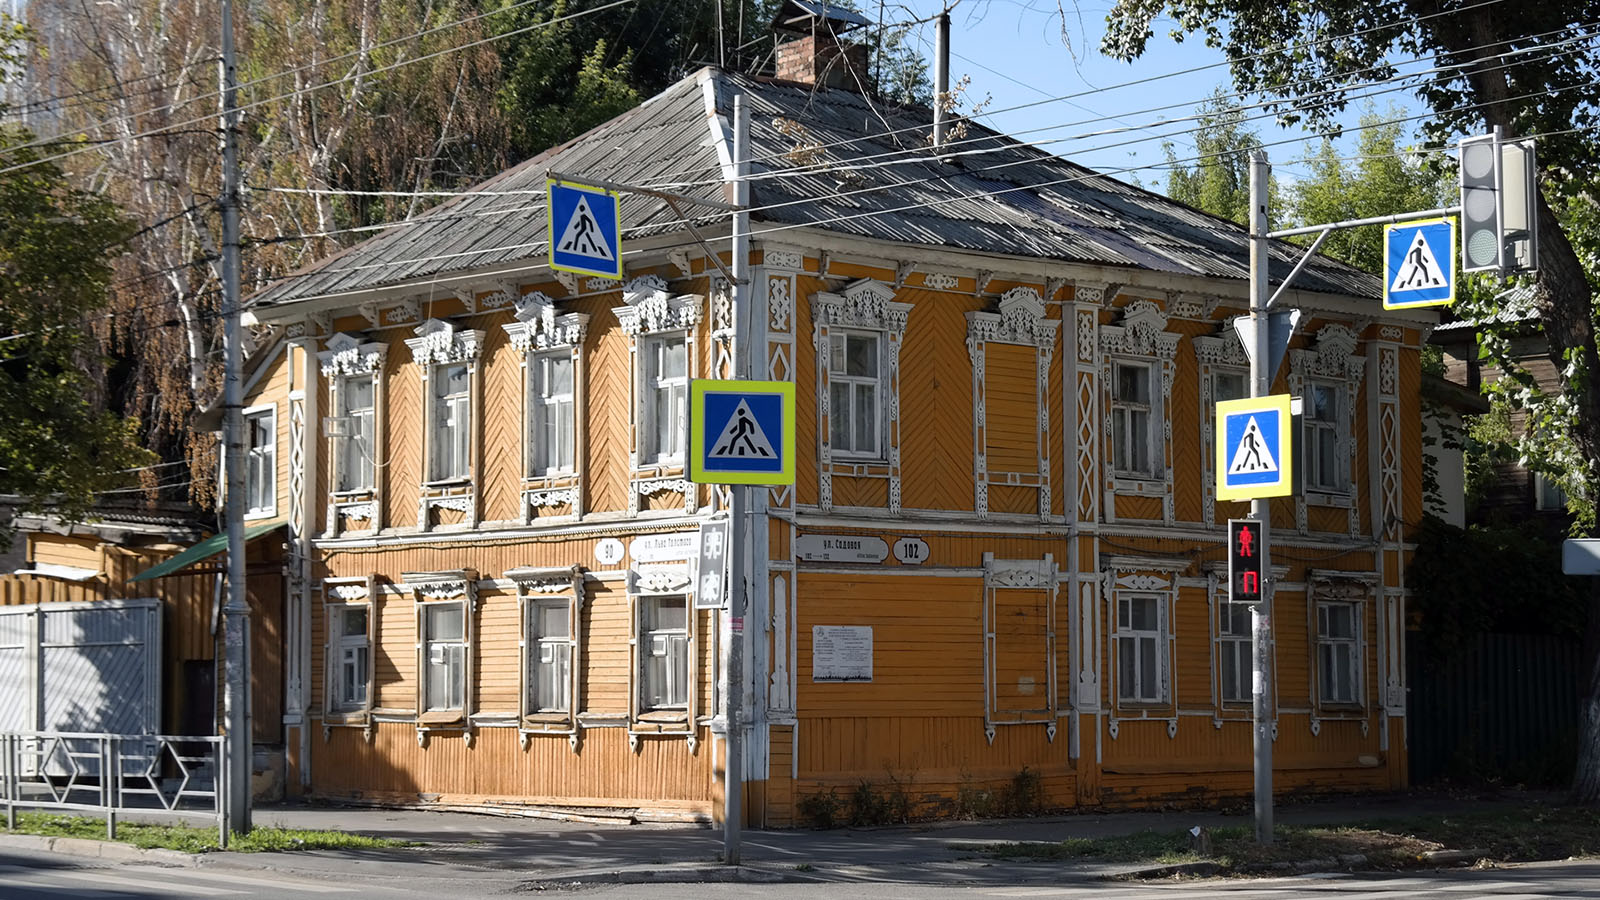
(47, 877)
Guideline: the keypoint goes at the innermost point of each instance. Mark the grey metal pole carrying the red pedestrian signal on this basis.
(1262, 510)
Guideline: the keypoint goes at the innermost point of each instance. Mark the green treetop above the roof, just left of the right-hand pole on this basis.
(1217, 177)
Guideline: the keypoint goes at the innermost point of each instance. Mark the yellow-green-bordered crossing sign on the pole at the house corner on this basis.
(742, 432)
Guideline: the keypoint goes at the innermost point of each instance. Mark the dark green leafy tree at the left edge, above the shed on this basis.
(60, 448)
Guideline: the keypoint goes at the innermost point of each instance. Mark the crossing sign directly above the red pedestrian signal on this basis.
(1255, 448)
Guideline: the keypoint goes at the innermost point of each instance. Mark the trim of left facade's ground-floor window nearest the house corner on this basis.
(647, 584)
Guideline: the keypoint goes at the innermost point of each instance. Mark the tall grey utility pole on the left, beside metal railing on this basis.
(236, 614)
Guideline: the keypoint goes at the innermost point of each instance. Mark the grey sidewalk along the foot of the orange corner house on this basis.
(543, 851)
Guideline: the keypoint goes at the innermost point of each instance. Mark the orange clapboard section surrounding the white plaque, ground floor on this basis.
(927, 645)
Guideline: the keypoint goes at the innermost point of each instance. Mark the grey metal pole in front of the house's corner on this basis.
(740, 529)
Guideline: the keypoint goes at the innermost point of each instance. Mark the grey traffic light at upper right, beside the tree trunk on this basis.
(1498, 206)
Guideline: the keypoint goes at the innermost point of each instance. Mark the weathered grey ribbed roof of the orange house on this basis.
(873, 177)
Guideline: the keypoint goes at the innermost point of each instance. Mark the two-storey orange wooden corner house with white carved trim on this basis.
(999, 566)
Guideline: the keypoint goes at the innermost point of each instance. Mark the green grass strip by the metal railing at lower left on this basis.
(194, 840)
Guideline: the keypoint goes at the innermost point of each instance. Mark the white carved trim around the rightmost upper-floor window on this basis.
(1332, 361)
